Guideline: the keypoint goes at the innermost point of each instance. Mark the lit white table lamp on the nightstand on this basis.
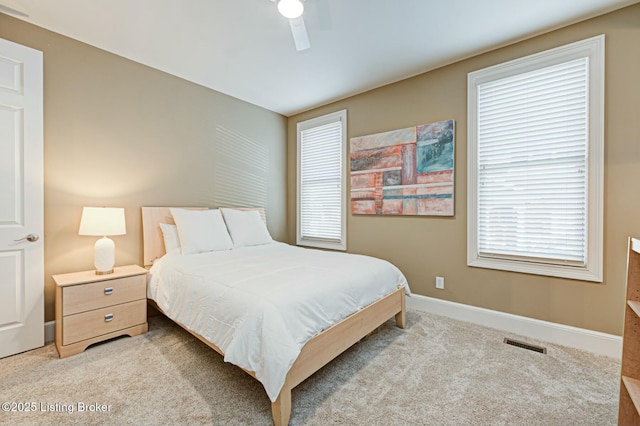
(103, 222)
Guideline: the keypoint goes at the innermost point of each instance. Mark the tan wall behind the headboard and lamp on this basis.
(117, 133)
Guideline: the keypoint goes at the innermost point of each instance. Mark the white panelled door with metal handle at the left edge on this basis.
(21, 200)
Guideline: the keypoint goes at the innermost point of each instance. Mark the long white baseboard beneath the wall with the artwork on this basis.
(580, 338)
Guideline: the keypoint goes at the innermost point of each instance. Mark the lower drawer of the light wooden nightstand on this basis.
(102, 321)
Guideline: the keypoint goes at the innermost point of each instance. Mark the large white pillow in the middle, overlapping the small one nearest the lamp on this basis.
(201, 230)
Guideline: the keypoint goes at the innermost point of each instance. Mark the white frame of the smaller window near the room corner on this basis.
(300, 127)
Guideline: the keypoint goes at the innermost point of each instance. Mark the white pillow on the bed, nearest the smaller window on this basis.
(246, 227)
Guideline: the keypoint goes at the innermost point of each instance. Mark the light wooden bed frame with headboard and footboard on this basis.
(318, 351)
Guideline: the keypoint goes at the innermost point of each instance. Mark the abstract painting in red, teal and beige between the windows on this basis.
(404, 172)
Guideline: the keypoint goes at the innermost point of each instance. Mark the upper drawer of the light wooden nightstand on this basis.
(86, 297)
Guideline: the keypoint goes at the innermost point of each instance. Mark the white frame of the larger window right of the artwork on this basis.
(592, 48)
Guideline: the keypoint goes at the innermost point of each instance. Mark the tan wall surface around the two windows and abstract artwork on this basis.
(423, 247)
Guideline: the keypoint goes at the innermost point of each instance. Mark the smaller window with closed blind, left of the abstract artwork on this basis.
(321, 218)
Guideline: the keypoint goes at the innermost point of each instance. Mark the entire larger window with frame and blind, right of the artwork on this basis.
(535, 173)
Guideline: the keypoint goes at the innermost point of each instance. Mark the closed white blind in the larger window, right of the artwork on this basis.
(532, 162)
